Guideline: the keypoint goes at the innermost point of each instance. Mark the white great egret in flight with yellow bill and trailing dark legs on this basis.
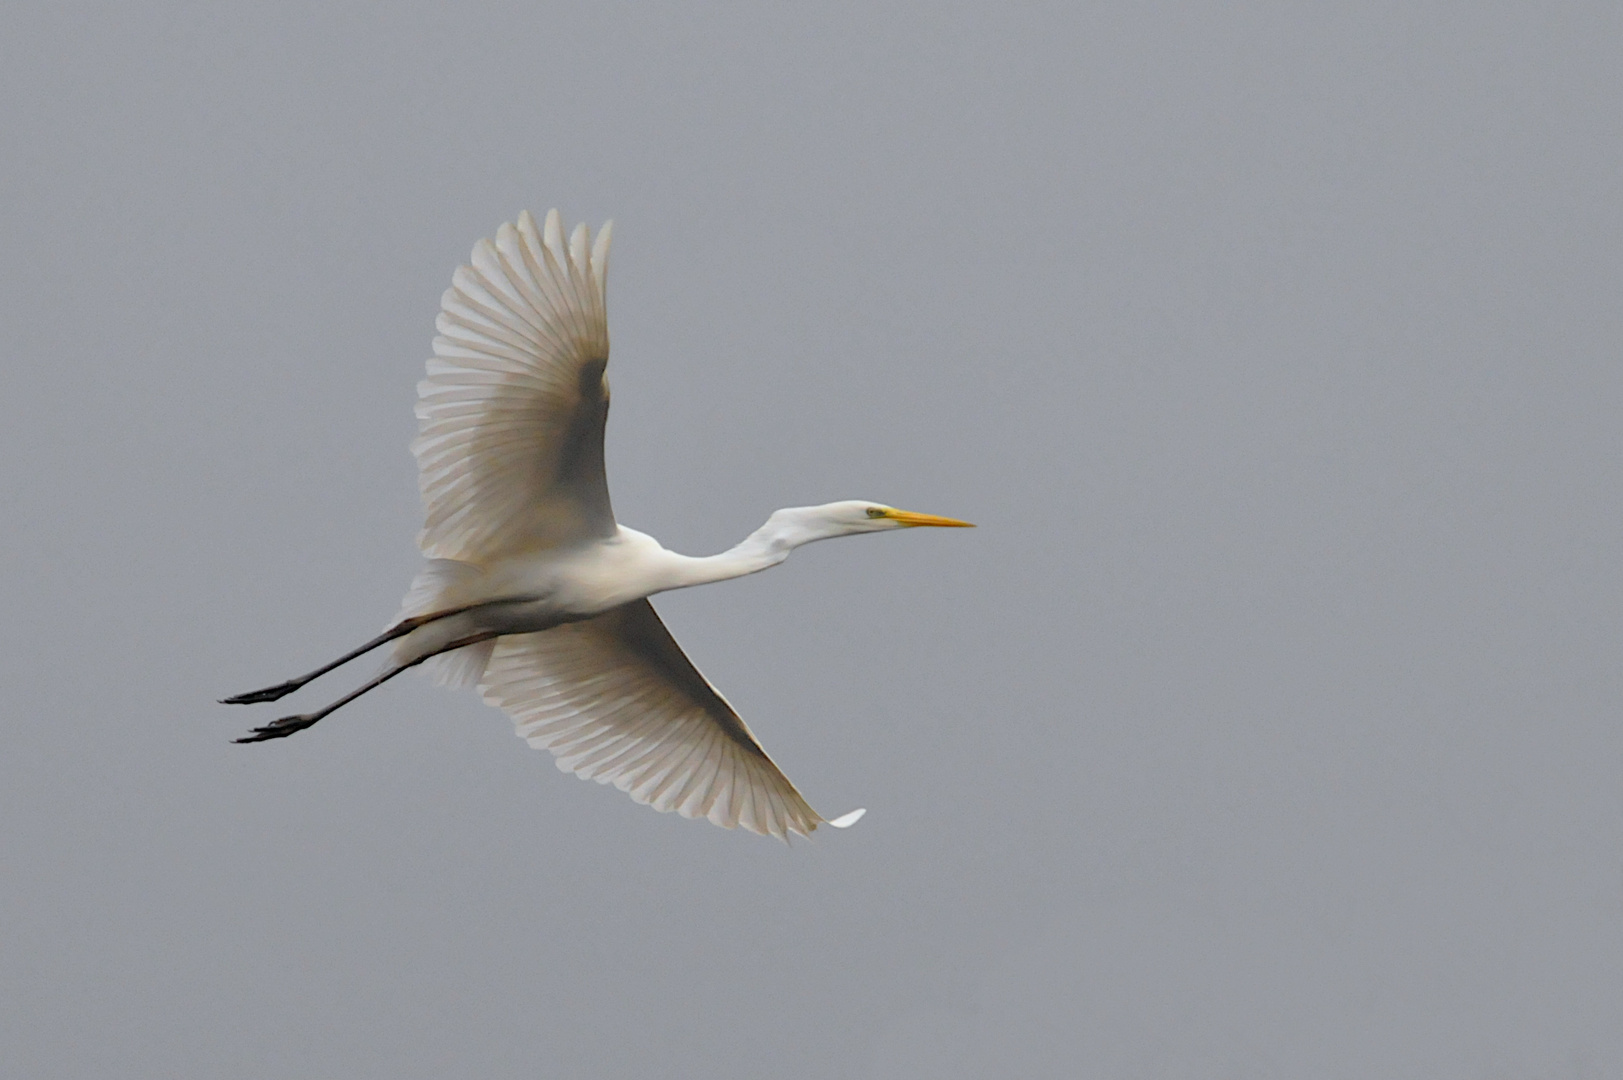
(532, 590)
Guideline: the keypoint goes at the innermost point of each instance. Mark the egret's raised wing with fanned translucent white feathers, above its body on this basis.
(510, 447)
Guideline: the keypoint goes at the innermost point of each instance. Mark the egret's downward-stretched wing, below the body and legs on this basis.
(618, 702)
